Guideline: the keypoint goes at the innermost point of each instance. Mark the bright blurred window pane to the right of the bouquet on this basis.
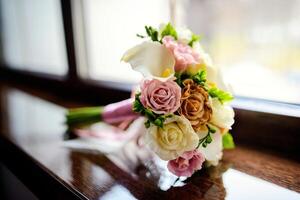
(255, 43)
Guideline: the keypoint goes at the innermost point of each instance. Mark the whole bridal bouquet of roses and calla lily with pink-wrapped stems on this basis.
(182, 98)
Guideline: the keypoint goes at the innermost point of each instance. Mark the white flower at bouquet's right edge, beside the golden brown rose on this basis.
(222, 114)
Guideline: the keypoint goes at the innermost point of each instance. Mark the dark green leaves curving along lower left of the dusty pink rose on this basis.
(152, 117)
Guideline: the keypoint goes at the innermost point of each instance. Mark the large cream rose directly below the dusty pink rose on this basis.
(171, 141)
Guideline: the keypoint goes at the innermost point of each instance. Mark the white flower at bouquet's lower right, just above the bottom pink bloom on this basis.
(213, 151)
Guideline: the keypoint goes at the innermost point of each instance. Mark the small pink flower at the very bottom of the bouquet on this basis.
(186, 164)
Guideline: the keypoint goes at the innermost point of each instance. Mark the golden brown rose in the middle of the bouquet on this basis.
(195, 105)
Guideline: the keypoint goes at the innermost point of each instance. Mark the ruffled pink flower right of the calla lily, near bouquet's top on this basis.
(183, 53)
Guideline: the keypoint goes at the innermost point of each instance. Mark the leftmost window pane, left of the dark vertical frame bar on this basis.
(32, 36)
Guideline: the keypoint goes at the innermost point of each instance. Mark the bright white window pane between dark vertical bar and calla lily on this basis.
(110, 28)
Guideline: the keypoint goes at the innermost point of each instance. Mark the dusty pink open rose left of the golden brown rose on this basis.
(161, 97)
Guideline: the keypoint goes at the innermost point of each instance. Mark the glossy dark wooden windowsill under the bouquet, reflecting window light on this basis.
(32, 147)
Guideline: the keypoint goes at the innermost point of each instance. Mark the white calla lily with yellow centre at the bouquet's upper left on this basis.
(152, 59)
